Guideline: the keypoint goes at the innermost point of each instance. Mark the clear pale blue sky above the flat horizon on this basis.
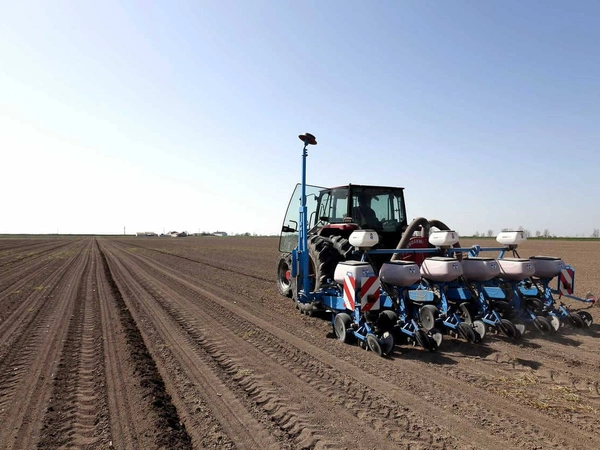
(118, 117)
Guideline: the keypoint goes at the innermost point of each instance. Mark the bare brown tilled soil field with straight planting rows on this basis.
(142, 343)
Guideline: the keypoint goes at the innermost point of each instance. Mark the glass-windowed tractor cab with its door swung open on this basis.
(340, 210)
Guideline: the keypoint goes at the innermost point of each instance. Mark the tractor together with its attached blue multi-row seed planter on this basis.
(350, 251)
